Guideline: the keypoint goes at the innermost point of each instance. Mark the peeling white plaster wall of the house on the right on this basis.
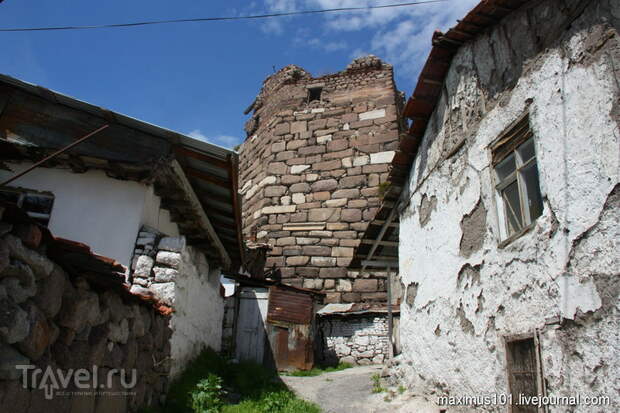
(465, 292)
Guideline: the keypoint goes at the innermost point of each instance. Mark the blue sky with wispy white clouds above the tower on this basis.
(197, 78)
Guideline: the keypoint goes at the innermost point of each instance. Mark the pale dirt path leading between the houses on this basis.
(350, 391)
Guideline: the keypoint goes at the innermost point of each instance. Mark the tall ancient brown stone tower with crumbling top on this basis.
(312, 171)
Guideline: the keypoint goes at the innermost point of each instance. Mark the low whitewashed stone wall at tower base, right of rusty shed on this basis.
(355, 339)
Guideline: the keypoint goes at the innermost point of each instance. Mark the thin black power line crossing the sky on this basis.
(207, 19)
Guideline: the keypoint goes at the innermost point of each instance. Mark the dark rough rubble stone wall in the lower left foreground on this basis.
(52, 318)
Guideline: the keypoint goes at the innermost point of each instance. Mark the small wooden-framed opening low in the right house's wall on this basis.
(524, 372)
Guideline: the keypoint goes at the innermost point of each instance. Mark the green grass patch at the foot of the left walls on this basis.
(260, 389)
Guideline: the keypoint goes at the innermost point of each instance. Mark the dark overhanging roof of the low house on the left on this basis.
(49, 120)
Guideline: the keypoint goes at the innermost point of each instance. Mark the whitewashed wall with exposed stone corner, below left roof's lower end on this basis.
(179, 276)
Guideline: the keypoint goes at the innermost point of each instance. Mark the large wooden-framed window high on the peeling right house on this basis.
(516, 179)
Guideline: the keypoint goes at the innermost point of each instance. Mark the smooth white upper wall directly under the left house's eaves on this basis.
(97, 210)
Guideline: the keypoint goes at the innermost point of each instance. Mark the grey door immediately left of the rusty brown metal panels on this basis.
(251, 324)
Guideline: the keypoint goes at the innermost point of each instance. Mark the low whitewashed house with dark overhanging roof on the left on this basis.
(162, 204)
